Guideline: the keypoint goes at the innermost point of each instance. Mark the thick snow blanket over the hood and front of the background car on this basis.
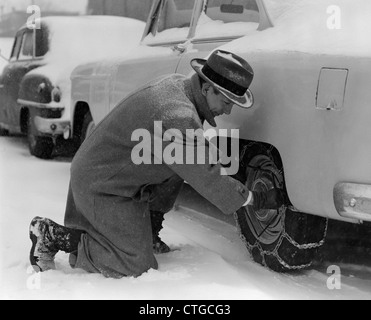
(74, 41)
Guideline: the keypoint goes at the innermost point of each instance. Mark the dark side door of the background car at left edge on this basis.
(22, 61)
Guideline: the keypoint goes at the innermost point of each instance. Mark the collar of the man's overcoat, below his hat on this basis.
(194, 93)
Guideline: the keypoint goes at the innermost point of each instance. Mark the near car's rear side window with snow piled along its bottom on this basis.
(229, 18)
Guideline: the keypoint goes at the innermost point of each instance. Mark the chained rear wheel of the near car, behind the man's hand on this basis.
(282, 240)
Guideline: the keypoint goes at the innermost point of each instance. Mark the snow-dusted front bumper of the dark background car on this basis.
(53, 127)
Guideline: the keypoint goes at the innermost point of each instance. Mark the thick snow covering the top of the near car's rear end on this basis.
(311, 26)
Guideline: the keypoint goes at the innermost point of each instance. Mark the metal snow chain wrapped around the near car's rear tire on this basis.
(285, 235)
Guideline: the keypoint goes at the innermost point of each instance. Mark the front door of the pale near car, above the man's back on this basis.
(166, 34)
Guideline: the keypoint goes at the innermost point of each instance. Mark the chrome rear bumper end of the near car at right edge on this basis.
(353, 200)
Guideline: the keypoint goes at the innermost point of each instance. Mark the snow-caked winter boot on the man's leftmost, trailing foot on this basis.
(47, 239)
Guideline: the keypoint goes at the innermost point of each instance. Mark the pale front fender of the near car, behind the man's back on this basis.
(102, 85)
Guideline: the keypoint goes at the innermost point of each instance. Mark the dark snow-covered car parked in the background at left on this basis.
(35, 85)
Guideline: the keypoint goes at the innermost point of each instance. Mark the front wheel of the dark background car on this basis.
(40, 147)
